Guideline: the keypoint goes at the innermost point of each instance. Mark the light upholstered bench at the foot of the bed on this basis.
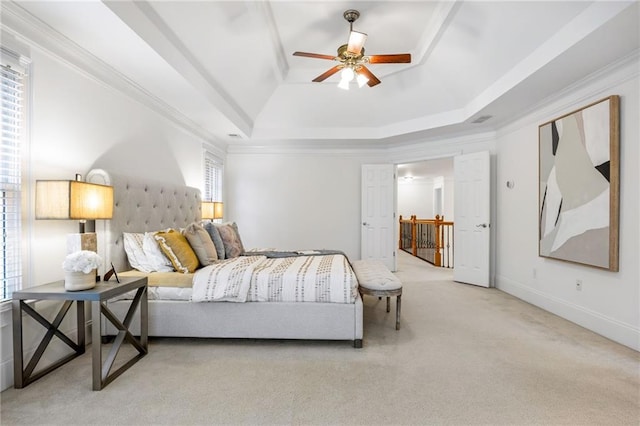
(375, 279)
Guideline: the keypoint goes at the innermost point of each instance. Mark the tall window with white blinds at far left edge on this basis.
(12, 76)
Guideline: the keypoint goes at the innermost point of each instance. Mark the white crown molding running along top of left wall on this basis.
(23, 25)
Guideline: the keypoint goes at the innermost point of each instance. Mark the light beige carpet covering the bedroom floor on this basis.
(464, 355)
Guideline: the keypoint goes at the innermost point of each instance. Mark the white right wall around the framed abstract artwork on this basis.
(609, 302)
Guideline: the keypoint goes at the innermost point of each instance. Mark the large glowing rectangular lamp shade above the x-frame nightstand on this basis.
(70, 199)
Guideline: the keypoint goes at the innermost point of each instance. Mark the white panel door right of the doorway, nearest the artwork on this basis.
(471, 237)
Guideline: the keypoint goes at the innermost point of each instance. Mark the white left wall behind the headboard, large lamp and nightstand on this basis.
(77, 124)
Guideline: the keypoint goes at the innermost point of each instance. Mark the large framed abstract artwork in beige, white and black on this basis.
(579, 176)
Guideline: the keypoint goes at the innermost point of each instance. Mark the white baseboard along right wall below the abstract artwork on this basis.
(610, 328)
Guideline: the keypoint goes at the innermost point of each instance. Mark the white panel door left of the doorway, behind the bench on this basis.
(378, 218)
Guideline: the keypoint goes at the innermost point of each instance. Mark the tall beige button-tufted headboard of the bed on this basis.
(141, 206)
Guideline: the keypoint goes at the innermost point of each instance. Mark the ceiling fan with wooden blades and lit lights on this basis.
(353, 60)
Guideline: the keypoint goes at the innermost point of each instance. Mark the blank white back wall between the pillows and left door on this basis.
(295, 201)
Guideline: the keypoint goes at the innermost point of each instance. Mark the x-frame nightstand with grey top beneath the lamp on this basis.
(103, 291)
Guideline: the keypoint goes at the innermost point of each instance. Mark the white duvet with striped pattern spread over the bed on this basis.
(320, 278)
